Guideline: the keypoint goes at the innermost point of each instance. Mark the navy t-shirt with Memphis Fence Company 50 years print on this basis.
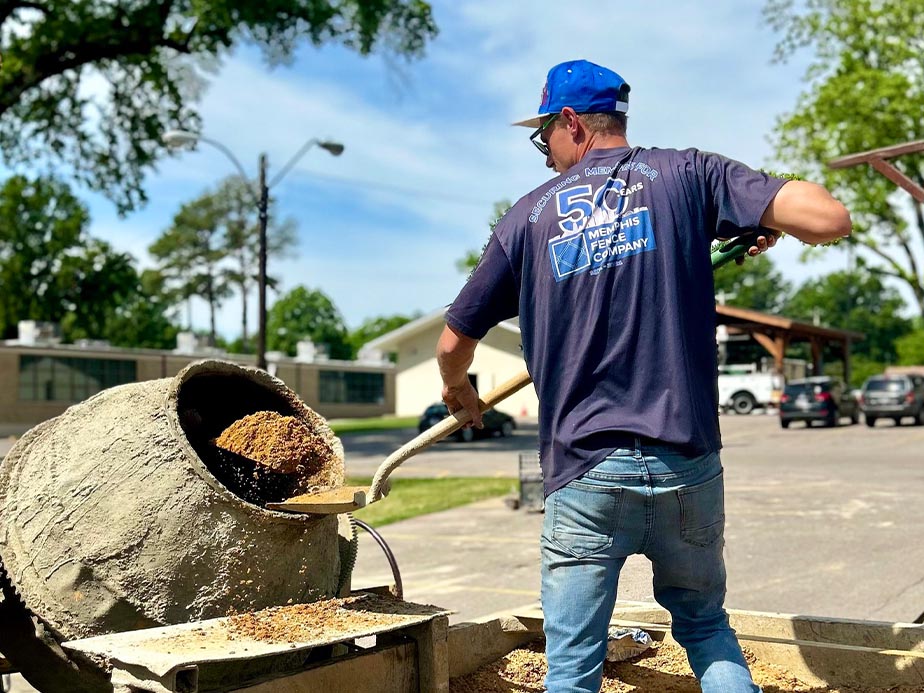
(608, 267)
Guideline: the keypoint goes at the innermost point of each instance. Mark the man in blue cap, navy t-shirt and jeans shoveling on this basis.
(608, 267)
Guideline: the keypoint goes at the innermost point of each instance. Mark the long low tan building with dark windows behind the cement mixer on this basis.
(40, 378)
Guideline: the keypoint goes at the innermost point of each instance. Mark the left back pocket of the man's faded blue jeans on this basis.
(585, 517)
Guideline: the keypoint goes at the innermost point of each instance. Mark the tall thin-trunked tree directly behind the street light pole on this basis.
(235, 200)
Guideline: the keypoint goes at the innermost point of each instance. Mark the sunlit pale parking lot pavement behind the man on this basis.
(821, 522)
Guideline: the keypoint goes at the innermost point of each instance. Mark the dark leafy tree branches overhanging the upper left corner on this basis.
(148, 55)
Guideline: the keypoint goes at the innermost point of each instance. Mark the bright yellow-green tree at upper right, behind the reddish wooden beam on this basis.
(864, 90)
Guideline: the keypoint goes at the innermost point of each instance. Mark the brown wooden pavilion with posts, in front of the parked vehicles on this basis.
(775, 333)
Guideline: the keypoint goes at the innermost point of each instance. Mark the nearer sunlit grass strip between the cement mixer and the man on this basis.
(411, 497)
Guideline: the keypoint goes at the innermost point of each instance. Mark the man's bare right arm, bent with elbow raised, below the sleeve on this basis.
(808, 212)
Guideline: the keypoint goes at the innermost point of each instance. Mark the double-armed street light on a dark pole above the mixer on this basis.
(180, 138)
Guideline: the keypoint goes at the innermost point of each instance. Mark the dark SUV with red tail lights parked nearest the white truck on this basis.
(821, 398)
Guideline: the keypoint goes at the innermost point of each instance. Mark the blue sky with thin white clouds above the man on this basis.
(429, 148)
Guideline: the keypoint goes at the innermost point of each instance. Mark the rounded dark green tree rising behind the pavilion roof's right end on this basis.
(856, 301)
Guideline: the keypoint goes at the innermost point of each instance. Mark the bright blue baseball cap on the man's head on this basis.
(585, 87)
